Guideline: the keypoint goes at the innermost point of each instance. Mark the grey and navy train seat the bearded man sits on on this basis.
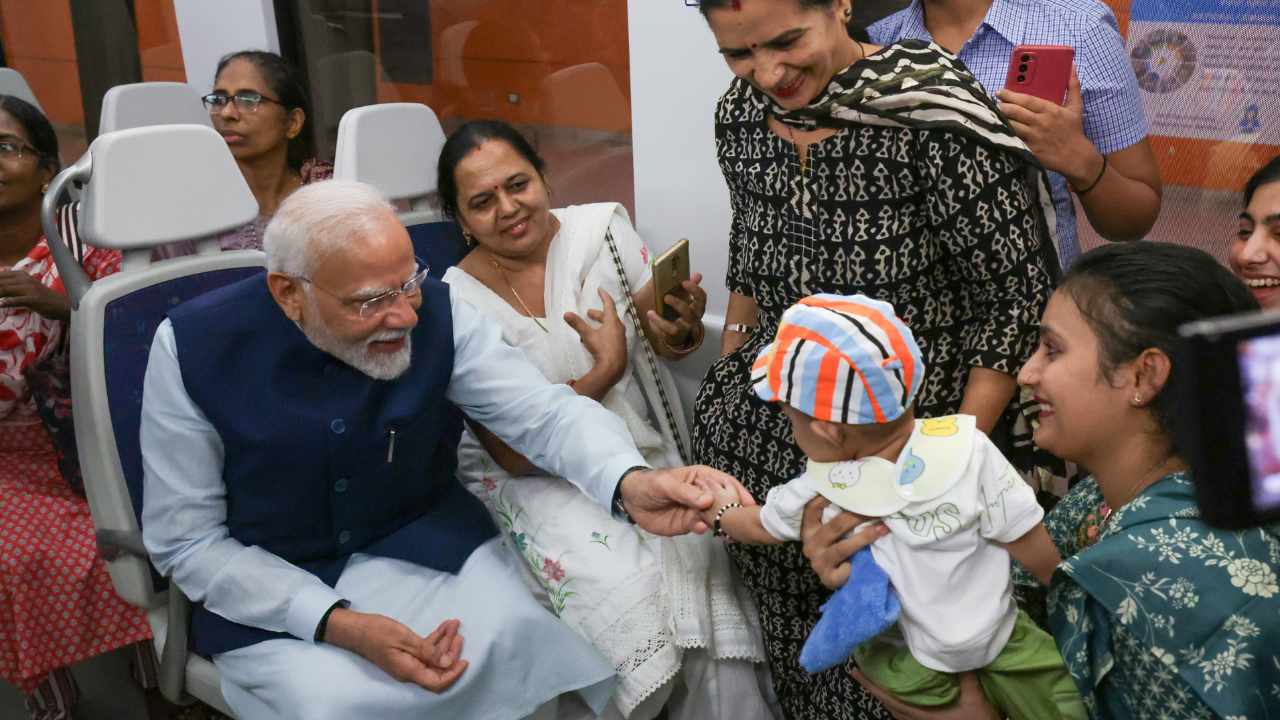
(134, 199)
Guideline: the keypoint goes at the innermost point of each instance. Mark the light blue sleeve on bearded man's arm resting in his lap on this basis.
(185, 516)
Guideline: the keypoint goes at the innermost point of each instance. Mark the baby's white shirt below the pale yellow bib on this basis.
(943, 558)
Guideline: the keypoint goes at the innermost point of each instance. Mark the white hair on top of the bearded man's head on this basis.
(318, 220)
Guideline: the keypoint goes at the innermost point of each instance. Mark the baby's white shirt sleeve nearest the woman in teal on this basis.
(1009, 508)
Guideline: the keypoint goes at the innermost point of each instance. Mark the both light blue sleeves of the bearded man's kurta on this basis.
(185, 507)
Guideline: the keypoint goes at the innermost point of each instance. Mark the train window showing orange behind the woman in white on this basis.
(559, 71)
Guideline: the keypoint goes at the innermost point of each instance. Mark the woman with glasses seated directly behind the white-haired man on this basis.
(262, 111)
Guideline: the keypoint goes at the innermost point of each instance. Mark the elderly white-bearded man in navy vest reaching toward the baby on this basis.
(299, 435)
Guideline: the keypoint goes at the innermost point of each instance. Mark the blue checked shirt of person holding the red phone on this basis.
(1113, 104)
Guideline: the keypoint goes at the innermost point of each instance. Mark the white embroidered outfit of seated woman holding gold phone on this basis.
(639, 599)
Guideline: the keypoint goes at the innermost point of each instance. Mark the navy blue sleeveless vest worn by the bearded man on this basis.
(310, 467)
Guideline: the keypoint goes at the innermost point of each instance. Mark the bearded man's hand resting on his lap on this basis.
(432, 663)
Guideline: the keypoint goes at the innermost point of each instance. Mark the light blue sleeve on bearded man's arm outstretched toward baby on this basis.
(557, 430)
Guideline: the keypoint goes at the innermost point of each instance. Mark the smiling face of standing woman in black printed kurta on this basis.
(783, 48)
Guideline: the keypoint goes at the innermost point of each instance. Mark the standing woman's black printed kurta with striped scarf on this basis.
(943, 218)
